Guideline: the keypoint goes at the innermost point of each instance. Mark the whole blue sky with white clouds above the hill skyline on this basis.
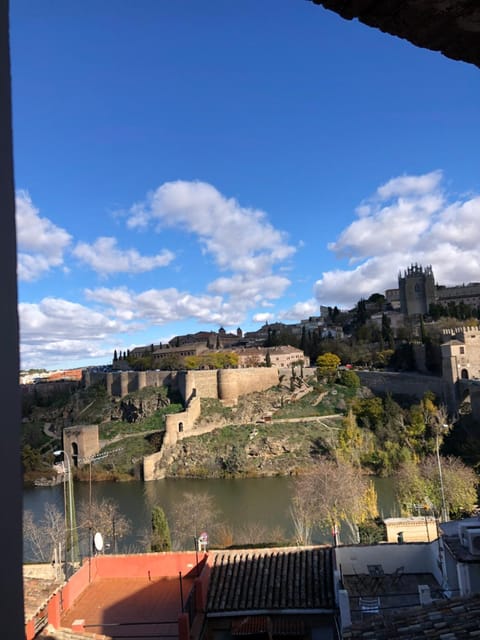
(185, 166)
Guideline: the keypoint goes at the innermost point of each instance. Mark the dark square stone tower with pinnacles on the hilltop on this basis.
(417, 290)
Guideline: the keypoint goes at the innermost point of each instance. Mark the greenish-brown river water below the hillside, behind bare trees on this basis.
(243, 502)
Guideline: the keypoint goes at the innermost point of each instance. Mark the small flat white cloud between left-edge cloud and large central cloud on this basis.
(105, 258)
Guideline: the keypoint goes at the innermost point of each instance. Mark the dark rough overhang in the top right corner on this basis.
(449, 26)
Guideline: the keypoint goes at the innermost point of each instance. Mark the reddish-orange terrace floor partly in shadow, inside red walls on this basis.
(121, 600)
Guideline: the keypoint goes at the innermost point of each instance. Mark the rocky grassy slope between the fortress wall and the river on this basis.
(268, 433)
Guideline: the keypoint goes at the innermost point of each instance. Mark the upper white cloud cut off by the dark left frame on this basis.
(41, 244)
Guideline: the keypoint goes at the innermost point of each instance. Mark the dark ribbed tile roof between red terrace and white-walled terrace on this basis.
(272, 579)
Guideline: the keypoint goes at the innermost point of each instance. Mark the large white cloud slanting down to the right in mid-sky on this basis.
(239, 238)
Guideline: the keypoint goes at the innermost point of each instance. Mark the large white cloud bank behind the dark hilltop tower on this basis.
(408, 220)
